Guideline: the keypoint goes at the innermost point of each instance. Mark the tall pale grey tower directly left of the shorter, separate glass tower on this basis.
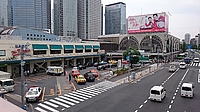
(89, 18)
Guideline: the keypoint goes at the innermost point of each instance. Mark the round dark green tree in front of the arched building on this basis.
(134, 55)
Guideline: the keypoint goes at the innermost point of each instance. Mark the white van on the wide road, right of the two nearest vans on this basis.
(187, 90)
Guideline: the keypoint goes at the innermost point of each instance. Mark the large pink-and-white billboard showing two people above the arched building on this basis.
(157, 22)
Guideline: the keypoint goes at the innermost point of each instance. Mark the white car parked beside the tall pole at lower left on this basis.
(34, 94)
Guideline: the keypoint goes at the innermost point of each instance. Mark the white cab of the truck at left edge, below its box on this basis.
(7, 84)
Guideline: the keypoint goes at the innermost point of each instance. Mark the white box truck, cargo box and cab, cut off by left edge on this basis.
(5, 81)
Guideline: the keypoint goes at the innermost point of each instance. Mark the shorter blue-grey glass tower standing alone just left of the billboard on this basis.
(115, 18)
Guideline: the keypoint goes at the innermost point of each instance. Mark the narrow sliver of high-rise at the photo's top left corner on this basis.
(5, 13)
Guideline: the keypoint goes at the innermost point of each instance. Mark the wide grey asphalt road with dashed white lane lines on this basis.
(134, 97)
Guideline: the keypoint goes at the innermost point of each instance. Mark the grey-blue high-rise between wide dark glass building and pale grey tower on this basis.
(65, 18)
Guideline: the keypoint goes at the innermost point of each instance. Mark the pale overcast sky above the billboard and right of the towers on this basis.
(184, 15)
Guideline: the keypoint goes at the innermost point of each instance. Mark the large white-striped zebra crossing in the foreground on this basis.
(65, 101)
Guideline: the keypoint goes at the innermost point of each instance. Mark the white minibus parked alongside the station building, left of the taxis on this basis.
(54, 70)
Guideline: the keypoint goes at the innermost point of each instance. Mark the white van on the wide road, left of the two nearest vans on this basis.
(157, 93)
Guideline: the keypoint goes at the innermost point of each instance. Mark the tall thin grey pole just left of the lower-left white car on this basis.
(22, 75)
